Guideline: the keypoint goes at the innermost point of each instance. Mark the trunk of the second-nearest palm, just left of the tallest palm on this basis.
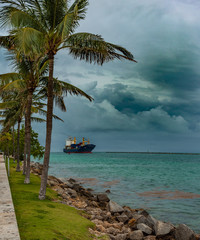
(28, 135)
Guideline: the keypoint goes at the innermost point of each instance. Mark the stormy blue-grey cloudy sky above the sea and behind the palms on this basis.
(152, 105)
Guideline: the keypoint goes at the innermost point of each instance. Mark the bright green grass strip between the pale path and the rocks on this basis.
(44, 220)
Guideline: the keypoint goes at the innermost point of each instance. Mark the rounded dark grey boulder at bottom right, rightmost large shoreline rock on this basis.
(183, 232)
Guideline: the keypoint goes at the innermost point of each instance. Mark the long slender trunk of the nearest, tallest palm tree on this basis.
(44, 176)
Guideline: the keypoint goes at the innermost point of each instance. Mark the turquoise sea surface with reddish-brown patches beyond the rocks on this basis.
(166, 185)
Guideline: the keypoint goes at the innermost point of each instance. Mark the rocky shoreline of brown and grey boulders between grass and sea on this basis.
(112, 220)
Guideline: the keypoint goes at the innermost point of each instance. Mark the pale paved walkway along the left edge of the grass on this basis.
(8, 223)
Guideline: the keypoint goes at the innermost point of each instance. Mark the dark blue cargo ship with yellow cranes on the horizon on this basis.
(81, 147)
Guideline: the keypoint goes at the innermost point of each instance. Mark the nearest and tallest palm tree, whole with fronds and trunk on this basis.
(49, 26)
